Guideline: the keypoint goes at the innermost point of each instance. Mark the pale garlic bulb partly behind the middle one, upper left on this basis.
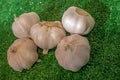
(21, 26)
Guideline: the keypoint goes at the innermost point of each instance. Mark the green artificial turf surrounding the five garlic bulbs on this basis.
(104, 39)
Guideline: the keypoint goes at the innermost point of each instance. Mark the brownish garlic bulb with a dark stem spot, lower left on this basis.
(22, 54)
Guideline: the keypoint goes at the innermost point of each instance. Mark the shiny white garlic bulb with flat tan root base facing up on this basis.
(76, 20)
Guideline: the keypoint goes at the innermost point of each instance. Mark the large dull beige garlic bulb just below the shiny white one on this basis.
(73, 52)
